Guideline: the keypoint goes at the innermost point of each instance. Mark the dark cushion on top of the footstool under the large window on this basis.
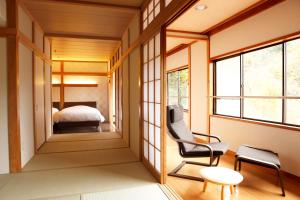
(257, 156)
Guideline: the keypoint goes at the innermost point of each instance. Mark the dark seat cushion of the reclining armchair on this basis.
(219, 148)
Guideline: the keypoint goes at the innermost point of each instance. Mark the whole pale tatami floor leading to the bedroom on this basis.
(83, 174)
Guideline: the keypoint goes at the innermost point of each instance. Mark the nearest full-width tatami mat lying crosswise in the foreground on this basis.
(75, 181)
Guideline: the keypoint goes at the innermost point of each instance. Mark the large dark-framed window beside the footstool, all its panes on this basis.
(263, 84)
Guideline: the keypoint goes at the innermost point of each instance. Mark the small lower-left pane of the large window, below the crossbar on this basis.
(228, 107)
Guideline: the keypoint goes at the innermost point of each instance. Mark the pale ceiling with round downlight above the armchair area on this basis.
(216, 12)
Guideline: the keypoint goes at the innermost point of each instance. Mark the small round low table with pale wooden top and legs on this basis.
(221, 176)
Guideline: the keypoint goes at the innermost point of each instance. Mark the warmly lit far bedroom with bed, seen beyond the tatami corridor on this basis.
(86, 97)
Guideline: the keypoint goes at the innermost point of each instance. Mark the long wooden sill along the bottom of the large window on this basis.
(293, 128)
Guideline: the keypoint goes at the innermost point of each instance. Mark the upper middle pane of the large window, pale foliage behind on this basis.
(263, 72)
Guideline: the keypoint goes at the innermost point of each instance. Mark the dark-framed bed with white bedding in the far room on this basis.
(76, 114)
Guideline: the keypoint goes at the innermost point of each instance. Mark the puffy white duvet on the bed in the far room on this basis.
(79, 114)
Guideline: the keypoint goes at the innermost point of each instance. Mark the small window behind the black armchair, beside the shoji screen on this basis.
(178, 88)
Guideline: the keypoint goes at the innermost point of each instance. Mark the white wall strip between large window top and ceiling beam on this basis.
(279, 20)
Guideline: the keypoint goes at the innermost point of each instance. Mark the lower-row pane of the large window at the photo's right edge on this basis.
(293, 111)
